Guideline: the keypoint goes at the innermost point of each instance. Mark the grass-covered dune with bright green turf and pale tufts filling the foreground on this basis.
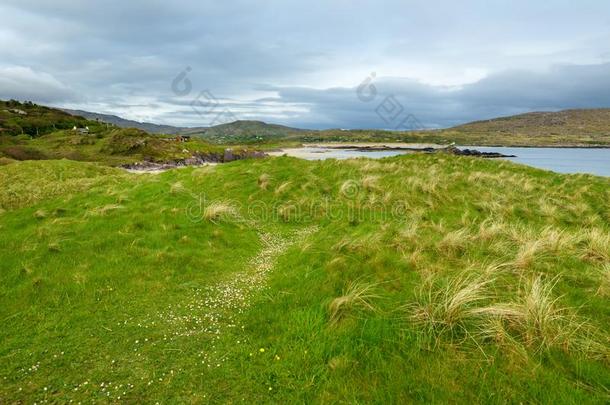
(420, 278)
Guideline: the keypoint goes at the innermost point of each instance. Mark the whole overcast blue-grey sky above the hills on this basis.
(310, 64)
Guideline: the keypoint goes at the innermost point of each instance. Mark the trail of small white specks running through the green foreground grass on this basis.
(208, 318)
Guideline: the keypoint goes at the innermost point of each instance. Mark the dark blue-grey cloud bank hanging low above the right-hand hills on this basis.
(504, 93)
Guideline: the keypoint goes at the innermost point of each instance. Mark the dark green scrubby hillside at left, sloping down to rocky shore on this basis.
(32, 132)
